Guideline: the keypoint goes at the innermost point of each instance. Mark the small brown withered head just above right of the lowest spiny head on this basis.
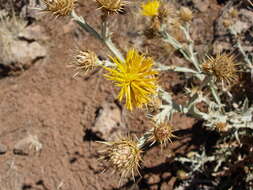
(162, 133)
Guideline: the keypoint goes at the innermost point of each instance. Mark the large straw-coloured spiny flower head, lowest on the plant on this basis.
(123, 155)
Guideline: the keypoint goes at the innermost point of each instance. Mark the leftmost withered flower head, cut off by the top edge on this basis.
(59, 7)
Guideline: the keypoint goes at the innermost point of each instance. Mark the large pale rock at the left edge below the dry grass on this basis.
(20, 49)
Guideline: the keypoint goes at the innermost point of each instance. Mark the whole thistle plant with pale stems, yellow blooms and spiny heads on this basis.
(135, 76)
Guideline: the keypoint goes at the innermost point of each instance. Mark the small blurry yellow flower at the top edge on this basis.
(151, 8)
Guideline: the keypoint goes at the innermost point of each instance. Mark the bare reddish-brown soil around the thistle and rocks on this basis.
(45, 101)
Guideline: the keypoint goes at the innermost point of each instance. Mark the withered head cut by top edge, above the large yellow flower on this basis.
(112, 6)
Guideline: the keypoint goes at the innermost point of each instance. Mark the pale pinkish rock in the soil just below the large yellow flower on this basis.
(108, 121)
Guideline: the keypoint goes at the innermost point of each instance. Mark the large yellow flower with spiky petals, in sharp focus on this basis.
(135, 77)
